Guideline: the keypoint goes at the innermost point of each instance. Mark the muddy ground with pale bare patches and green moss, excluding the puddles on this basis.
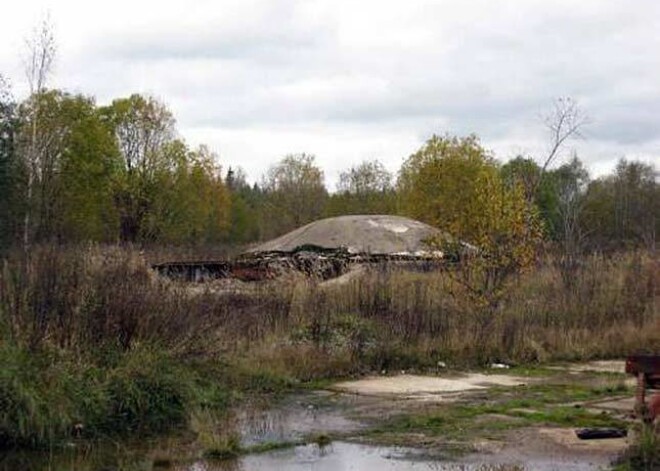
(508, 417)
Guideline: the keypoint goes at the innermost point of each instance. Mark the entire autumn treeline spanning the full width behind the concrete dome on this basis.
(72, 171)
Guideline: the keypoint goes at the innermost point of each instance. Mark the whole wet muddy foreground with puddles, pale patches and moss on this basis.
(497, 419)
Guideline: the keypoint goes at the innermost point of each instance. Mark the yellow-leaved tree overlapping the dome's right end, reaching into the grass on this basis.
(455, 185)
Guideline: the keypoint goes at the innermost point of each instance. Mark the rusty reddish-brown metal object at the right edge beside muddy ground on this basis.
(646, 368)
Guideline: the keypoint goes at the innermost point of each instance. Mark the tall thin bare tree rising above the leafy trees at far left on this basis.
(40, 54)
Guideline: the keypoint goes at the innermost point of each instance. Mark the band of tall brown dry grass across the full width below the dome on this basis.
(82, 299)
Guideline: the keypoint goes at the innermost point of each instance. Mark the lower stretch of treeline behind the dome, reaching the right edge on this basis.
(457, 185)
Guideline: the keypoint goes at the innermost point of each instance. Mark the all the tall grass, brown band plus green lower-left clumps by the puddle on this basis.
(95, 332)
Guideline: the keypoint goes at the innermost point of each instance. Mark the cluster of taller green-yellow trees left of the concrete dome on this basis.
(71, 171)
